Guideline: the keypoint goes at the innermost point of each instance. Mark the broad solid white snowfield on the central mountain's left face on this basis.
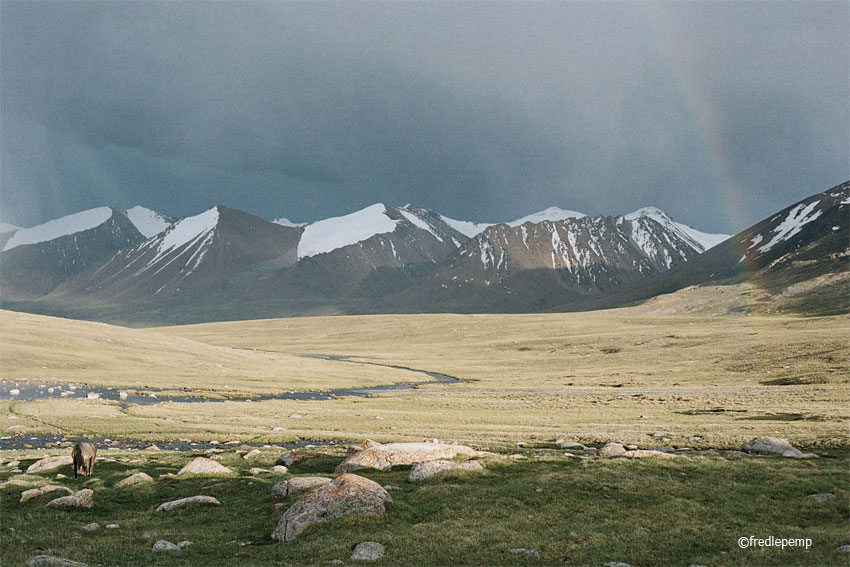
(329, 234)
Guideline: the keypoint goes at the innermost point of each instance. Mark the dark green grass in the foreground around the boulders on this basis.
(587, 512)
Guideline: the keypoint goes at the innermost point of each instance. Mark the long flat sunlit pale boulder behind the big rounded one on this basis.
(372, 455)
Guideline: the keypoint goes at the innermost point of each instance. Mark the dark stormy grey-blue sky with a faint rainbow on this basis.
(720, 113)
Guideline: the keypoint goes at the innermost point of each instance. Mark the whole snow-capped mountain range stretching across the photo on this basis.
(231, 264)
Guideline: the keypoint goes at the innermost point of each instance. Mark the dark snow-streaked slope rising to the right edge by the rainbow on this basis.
(801, 242)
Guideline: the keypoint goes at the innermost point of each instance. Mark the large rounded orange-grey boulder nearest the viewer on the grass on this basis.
(346, 494)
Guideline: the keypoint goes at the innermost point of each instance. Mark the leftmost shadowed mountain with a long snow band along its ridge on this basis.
(36, 260)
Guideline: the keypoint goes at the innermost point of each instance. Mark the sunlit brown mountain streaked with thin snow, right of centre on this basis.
(552, 262)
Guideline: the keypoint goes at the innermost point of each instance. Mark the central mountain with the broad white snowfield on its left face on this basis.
(372, 252)
